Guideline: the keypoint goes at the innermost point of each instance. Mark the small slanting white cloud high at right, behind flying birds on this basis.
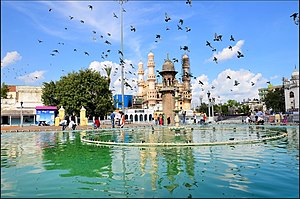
(227, 53)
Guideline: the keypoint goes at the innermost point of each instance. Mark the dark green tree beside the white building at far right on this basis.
(275, 100)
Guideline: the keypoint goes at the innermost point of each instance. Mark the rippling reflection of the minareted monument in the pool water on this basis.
(175, 161)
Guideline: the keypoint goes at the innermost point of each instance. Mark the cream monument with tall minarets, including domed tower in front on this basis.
(161, 96)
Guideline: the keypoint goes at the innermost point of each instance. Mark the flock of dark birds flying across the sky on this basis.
(180, 26)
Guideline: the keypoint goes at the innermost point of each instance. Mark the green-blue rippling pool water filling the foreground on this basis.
(59, 164)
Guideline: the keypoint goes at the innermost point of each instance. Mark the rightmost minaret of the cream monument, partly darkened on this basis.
(186, 81)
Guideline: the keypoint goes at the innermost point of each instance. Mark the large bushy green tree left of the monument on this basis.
(84, 88)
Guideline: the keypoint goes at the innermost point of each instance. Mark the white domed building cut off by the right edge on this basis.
(291, 92)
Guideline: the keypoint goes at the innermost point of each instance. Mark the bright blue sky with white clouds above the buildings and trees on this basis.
(263, 31)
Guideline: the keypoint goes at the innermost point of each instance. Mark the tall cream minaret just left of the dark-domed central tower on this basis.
(151, 92)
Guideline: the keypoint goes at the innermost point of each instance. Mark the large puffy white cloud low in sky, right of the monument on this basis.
(224, 87)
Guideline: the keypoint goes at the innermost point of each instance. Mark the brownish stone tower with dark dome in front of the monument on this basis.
(168, 74)
